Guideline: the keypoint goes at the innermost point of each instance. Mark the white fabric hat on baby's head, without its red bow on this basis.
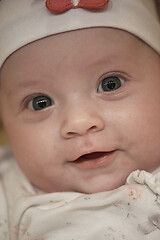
(24, 21)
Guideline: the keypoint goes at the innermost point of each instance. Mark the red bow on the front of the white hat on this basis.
(64, 5)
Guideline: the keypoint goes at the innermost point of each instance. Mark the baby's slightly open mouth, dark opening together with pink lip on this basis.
(94, 160)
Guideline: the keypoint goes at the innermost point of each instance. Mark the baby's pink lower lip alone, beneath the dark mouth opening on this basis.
(100, 161)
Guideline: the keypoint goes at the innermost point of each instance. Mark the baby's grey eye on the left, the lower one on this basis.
(40, 102)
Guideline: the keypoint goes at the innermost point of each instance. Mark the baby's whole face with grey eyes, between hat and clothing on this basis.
(82, 109)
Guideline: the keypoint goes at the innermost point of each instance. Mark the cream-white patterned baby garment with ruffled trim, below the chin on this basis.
(127, 213)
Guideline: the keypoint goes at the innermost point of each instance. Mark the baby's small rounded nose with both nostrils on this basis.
(81, 120)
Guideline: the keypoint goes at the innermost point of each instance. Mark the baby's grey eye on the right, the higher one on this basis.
(111, 83)
